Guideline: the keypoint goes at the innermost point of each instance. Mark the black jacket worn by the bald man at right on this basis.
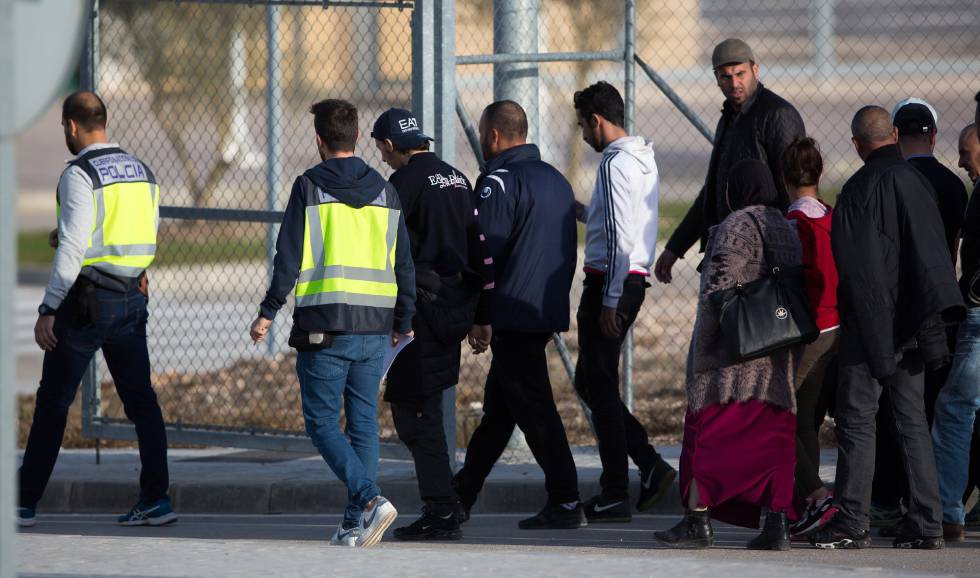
(891, 255)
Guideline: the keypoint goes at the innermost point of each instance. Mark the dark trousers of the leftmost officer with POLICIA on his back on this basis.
(121, 334)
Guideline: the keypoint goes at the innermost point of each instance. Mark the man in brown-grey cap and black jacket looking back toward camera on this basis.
(755, 123)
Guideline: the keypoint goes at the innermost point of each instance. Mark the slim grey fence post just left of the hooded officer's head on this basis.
(273, 138)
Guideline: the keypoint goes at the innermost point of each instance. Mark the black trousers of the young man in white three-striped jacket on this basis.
(618, 432)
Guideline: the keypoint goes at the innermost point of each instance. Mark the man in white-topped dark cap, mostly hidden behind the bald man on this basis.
(916, 122)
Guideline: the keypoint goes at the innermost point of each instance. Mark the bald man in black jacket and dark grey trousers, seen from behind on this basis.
(895, 276)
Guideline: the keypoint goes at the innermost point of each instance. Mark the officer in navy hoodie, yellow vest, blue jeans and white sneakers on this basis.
(343, 245)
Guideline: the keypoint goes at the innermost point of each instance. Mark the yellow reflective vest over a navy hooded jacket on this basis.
(349, 252)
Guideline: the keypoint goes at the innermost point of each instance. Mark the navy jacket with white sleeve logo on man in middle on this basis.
(526, 209)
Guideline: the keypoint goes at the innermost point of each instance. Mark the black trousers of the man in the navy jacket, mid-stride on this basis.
(518, 393)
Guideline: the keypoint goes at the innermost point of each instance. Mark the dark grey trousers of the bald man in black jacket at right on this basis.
(857, 405)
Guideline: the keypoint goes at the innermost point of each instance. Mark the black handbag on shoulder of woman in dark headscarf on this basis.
(767, 314)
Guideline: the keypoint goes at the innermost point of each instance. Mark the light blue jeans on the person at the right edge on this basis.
(956, 408)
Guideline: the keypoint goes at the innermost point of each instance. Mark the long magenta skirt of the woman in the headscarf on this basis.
(742, 456)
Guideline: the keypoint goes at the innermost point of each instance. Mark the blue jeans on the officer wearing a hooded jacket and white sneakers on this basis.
(348, 370)
